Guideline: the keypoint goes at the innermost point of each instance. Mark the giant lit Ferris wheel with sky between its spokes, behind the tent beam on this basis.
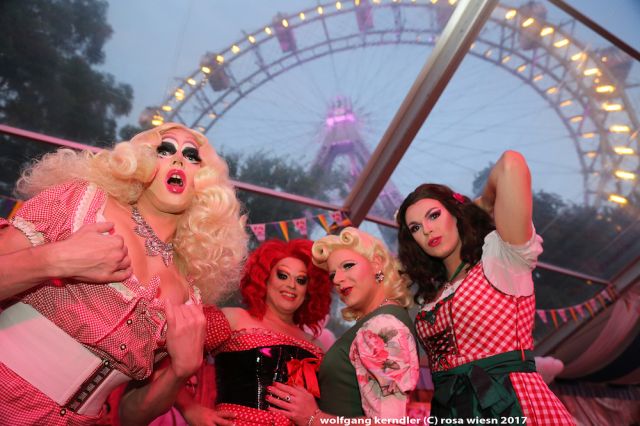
(285, 85)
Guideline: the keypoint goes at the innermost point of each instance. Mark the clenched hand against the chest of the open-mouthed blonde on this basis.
(91, 254)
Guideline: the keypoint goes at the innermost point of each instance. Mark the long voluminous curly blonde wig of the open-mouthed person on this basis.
(210, 243)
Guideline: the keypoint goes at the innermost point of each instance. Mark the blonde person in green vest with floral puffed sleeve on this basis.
(371, 368)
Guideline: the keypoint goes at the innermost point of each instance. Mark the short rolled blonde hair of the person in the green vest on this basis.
(396, 286)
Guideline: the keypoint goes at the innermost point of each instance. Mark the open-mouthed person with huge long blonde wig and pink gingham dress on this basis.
(169, 198)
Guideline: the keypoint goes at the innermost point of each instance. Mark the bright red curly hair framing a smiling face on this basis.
(261, 261)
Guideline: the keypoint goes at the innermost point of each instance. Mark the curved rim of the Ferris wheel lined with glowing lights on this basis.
(611, 125)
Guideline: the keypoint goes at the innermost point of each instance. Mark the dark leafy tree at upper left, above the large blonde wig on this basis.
(47, 82)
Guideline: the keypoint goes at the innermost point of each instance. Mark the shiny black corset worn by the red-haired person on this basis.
(242, 377)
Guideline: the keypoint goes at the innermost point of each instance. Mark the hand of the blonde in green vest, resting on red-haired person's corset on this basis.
(293, 402)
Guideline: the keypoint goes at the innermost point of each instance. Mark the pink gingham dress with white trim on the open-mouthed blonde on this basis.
(120, 322)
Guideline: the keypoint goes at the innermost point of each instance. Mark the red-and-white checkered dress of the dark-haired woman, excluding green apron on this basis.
(478, 321)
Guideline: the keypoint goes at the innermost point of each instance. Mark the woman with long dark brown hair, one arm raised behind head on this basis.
(477, 298)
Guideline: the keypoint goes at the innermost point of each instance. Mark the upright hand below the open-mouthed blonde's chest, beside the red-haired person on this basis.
(185, 337)
